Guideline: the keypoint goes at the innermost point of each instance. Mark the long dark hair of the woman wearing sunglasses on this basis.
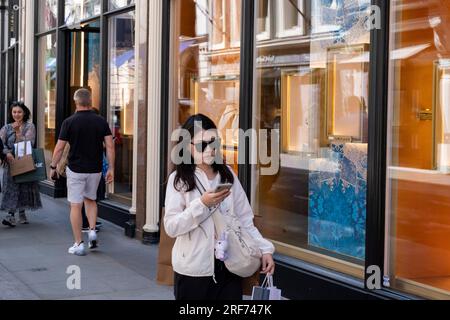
(185, 177)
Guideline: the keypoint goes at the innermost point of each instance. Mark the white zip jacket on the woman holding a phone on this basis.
(189, 221)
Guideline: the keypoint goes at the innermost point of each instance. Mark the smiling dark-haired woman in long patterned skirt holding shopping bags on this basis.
(17, 196)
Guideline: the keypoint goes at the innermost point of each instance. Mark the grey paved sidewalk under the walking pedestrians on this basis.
(34, 262)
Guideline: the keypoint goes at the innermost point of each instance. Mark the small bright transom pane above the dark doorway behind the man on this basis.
(77, 10)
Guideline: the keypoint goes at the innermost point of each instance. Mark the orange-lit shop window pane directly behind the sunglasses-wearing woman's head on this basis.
(206, 65)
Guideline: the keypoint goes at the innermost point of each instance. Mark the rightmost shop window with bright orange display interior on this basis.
(419, 148)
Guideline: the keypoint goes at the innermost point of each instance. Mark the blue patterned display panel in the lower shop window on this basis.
(337, 201)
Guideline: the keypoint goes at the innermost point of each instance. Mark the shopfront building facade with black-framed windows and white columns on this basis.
(349, 97)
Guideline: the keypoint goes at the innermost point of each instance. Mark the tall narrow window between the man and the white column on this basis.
(121, 101)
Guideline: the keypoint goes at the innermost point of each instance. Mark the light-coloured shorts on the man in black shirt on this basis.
(81, 186)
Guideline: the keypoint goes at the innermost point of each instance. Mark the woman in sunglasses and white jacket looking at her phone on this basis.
(198, 274)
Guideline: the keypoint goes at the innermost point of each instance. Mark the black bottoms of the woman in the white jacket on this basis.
(228, 286)
